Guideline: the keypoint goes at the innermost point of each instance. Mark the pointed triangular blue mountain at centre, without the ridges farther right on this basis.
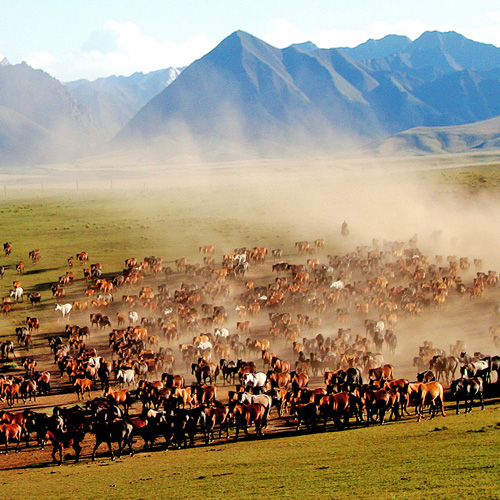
(265, 98)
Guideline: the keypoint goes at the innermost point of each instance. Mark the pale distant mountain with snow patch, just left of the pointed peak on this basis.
(114, 100)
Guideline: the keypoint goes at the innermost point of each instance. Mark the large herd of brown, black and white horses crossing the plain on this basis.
(303, 341)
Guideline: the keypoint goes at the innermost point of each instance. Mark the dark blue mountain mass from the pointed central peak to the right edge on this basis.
(304, 98)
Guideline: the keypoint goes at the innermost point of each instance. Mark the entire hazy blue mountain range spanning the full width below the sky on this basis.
(246, 95)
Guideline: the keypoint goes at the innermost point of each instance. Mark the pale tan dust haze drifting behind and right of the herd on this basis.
(272, 202)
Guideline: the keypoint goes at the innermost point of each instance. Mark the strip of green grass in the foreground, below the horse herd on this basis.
(451, 457)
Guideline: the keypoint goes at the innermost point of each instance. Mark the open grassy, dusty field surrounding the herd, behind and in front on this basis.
(450, 457)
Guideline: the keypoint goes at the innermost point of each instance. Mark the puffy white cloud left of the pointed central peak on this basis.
(121, 49)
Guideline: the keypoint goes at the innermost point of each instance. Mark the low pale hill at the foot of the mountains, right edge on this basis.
(483, 135)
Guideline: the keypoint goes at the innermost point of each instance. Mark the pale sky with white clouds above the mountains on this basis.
(73, 39)
